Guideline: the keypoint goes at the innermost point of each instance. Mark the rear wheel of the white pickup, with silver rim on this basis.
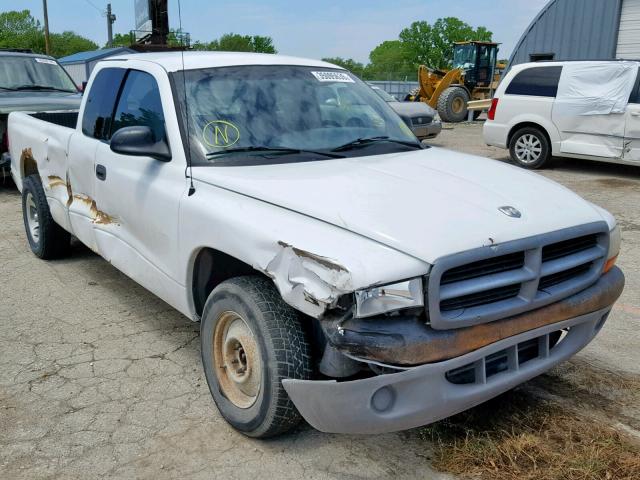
(46, 238)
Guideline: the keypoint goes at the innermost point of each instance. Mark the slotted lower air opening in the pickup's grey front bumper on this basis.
(507, 360)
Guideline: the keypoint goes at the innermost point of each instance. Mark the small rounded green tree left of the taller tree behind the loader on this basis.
(391, 60)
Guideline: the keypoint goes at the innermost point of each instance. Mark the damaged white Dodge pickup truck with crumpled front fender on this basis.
(341, 270)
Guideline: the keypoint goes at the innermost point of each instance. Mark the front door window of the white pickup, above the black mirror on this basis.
(140, 104)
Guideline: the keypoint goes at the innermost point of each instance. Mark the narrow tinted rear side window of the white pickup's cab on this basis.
(98, 110)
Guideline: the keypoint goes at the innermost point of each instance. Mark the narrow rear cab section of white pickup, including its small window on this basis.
(95, 125)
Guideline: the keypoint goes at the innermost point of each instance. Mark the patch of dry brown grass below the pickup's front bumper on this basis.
(519, 436)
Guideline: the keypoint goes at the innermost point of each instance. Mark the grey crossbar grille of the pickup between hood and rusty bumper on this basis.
(496, 282)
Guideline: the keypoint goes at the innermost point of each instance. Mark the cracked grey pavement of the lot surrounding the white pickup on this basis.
(99, 378)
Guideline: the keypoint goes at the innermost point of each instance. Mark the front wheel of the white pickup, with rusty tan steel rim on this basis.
(246, 325)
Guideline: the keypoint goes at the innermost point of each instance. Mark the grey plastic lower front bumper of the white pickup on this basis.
(420, 395)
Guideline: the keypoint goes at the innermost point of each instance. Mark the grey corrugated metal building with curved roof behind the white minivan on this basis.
(581, 30)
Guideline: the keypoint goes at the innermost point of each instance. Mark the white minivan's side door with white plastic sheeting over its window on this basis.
(590, 105)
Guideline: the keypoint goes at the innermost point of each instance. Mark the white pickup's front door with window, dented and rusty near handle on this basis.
(138, 197)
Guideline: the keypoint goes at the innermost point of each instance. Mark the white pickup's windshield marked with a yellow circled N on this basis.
(253, 110)
